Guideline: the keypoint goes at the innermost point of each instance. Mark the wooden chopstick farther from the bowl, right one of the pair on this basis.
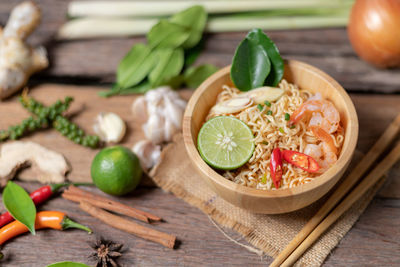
(368, 182)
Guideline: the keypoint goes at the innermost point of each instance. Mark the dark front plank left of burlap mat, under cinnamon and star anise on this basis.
(199, 238)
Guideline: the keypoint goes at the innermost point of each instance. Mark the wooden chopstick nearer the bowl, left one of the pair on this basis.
(379, 147)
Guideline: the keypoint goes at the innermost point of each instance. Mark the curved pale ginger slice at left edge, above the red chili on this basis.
(51, 165)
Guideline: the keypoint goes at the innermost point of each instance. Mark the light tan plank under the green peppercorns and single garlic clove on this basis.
(86, 106)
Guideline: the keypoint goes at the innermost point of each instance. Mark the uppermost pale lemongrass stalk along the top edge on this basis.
(164, 8)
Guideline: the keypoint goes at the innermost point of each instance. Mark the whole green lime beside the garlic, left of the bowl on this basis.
(116, 170)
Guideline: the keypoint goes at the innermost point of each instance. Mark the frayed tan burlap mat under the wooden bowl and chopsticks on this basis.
(270, 233)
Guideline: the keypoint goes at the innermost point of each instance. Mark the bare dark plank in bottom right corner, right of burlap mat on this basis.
(374, 240)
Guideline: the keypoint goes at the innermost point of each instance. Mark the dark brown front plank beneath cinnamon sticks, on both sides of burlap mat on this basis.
(374, 240)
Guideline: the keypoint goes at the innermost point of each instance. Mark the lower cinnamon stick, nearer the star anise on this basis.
(115, 221)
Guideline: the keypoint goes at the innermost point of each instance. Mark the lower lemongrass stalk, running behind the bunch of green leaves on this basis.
(106, 27)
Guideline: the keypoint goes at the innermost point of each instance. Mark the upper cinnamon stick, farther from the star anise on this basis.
(74, 193)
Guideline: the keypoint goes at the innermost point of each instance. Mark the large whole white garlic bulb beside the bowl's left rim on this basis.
(162, 110)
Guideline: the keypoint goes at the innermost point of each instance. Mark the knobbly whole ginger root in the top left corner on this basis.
(18, 61)
